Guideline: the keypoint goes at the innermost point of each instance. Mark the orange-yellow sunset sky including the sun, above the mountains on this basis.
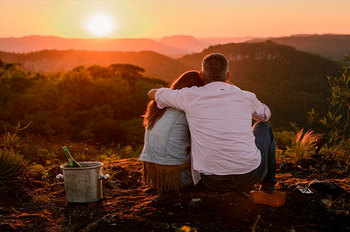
(158, 18)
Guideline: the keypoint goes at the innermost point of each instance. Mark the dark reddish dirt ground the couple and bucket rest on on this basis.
(129, 206)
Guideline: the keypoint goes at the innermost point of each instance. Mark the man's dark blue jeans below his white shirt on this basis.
(265, 173)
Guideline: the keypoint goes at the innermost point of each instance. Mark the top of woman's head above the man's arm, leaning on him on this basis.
(187, 79)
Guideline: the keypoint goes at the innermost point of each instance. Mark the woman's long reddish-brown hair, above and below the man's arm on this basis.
(187, 79)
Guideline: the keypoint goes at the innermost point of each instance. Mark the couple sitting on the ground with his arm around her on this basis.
(199, 129)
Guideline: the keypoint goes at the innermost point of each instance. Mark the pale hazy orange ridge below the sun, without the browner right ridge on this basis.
(174, 46)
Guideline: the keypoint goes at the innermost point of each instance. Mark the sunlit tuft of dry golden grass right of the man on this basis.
(304, 144)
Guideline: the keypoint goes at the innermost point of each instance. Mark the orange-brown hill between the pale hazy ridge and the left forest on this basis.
(155, 64)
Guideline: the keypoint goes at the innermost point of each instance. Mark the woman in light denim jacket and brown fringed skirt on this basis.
(166, 152)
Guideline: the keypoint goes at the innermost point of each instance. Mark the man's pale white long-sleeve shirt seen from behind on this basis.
(220, 118)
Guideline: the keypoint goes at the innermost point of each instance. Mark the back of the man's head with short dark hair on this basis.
(214, 67)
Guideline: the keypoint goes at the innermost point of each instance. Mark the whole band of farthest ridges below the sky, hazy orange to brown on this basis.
(328, 45)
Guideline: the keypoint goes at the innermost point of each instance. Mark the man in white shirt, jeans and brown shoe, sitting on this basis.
(226, 153)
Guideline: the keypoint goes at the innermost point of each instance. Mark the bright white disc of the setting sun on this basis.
(100, 25)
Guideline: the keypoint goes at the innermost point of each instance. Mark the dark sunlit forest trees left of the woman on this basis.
(102, 104)
